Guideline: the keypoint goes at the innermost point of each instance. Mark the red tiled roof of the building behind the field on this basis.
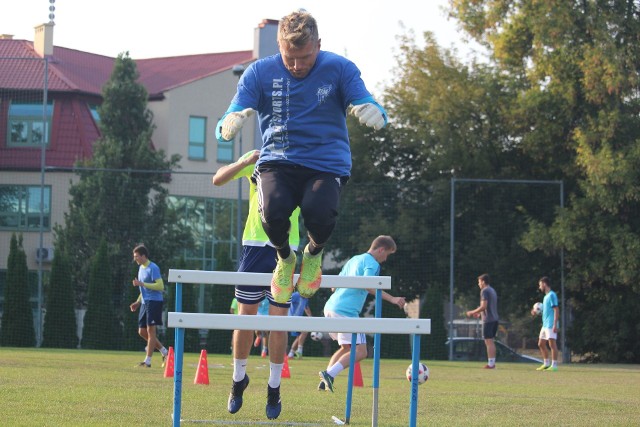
(76, 78)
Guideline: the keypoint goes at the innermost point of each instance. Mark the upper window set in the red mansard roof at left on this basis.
(26, 127)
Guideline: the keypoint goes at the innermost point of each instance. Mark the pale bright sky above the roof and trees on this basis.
(364, 31)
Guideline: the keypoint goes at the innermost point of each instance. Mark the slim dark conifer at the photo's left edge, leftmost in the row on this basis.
(17, 318)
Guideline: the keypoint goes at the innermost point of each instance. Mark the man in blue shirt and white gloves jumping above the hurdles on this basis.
(301, 96)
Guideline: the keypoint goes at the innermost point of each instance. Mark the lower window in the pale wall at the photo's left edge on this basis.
(20, 207)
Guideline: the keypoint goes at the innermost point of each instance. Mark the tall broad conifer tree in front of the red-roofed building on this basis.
(120, 195)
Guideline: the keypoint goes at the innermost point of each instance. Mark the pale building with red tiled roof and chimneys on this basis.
(187, 96)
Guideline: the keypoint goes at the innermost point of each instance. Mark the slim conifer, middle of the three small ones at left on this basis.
(60, 329)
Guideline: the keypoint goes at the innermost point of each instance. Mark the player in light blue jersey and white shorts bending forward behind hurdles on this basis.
(348, 302)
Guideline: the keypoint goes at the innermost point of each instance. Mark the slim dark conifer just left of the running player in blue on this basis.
(101, 329)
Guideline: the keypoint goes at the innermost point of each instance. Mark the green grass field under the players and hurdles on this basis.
(44, 387)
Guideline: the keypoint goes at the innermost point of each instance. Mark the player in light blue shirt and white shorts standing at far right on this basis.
(550, 323)
